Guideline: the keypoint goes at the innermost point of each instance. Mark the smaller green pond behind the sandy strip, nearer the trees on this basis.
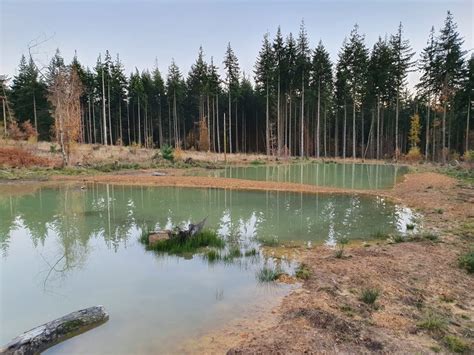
(350, 176)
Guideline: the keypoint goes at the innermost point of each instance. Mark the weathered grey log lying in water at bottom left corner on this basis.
(38, 339)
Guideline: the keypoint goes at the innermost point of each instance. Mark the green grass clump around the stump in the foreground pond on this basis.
(206, 238)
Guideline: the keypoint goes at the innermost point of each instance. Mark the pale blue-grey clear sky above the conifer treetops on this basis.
(146, 32)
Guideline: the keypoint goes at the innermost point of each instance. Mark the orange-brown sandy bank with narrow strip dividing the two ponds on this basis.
(417, 280)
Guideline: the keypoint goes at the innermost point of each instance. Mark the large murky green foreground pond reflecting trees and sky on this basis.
(65, 249)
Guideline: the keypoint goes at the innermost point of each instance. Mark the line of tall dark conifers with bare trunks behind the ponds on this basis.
(298, 104)
